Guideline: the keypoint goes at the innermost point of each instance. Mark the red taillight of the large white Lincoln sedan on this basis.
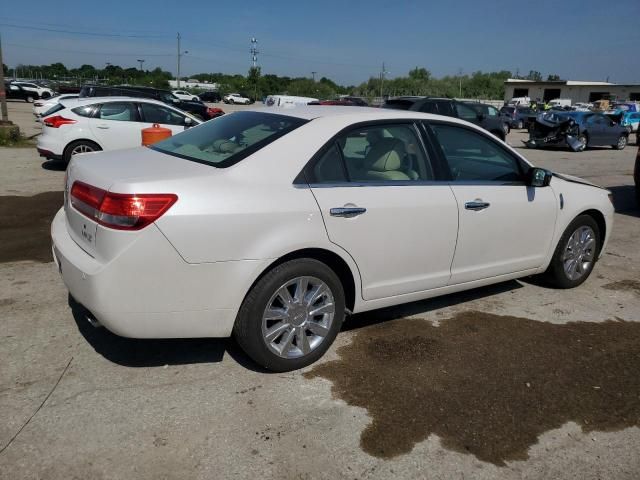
(121, 211)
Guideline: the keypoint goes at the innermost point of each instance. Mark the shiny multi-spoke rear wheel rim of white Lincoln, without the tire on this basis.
(298, 317)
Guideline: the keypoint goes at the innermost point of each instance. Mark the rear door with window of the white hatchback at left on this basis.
(117, 125)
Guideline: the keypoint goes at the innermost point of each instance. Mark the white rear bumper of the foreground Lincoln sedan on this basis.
(148, 291)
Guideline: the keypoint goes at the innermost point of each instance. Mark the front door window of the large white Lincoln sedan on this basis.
(473, 156)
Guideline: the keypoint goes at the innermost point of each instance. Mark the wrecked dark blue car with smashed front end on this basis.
(578, 130)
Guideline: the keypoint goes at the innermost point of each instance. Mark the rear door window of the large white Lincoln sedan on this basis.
(377, 153)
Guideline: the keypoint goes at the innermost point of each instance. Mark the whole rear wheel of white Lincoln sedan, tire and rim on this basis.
(291, 316)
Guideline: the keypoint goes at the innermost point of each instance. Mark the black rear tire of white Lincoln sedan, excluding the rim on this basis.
(248, 327)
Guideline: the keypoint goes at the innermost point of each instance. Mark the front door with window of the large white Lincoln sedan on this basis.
(505, 226)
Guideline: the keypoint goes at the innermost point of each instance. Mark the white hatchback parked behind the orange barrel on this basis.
(82, 125)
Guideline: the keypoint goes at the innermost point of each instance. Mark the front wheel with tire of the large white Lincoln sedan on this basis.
(576, 253)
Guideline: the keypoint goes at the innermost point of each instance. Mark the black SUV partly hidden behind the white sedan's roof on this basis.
(450, 108)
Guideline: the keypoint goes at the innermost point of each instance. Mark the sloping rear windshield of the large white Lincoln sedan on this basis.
(228, 139)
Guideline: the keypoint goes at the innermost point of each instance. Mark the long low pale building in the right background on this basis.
(575, 90)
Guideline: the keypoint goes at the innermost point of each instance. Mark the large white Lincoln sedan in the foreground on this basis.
(273, 227)
